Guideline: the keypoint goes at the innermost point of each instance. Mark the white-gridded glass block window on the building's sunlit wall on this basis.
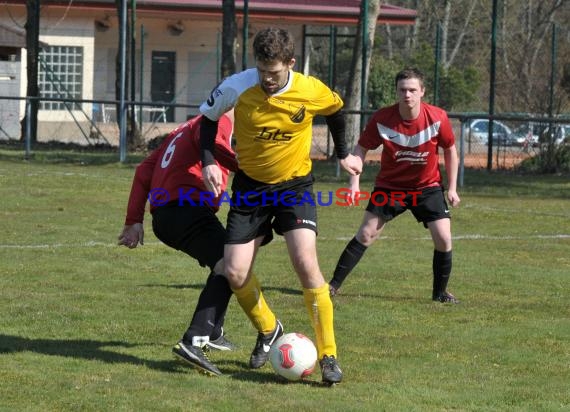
(61, 76)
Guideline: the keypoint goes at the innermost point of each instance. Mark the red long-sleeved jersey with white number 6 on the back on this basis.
(175, 167)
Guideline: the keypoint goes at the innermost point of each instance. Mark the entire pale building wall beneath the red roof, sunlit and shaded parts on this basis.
(197, 48)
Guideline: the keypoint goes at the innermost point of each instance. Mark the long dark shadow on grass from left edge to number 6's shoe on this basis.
(84, 349)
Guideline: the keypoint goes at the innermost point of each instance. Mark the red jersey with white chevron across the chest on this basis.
(410, 157)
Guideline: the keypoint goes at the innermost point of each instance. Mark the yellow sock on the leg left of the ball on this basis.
(251, 300)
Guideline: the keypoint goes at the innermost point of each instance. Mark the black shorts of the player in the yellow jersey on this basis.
(258, 208)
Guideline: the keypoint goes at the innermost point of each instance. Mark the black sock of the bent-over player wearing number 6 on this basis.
(211, 309)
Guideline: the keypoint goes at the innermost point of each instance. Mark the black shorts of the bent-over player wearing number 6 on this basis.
(194, 230)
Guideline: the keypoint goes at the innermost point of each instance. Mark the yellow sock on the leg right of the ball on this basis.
(319, 306)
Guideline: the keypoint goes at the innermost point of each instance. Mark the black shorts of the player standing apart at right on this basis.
(427, 205)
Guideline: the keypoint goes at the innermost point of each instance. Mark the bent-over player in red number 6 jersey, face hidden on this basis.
(184, 219)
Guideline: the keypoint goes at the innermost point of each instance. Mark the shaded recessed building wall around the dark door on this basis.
(198, 54)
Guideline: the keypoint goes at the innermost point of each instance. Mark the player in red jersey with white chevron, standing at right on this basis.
(410, 132)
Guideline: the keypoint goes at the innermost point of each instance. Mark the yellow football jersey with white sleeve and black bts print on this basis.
(273, 133)
